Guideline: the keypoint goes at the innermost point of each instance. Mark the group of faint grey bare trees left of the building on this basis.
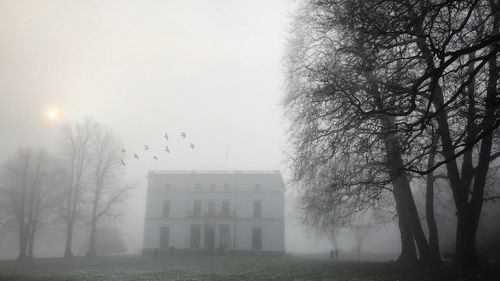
(78, 182)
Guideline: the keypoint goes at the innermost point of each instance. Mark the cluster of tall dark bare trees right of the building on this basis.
(386, 94)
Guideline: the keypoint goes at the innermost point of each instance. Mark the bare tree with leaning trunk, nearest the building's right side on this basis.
(334, 101)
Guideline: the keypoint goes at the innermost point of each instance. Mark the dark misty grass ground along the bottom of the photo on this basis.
(226, 267)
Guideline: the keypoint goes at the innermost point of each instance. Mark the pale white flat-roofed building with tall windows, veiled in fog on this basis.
(234, 210)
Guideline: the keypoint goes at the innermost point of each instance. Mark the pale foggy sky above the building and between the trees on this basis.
(211, 68)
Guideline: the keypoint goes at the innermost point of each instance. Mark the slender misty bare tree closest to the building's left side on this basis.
(106, 193)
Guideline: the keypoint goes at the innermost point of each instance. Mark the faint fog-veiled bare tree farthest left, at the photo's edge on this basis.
(28, 184)
